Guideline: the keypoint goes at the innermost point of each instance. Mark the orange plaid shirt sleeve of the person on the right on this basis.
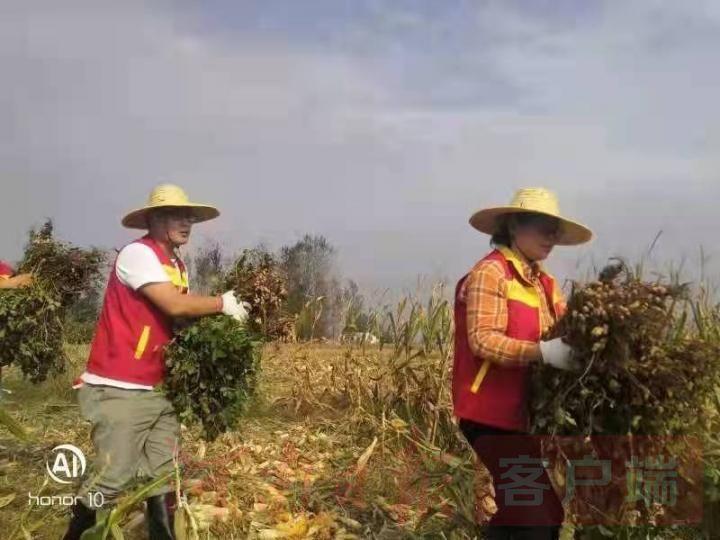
(485, 294)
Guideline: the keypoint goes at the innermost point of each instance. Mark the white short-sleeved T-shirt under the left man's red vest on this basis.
(136, 265)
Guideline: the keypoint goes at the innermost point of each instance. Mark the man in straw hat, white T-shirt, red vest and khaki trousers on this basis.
(134, 428)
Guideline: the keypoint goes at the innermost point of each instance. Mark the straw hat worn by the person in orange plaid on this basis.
(536, 201)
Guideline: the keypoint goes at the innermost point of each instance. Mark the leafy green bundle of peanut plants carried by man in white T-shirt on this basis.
(212, 364)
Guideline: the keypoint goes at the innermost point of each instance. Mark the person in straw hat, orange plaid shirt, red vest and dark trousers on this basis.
(502, 308)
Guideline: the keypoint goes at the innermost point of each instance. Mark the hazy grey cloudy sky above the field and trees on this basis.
(381, 124)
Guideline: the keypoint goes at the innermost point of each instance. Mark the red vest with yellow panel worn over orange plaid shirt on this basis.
(497, 395)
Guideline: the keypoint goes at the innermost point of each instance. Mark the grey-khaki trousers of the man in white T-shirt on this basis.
(135, 434)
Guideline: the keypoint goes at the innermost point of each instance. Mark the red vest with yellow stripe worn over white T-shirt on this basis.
(132, 332)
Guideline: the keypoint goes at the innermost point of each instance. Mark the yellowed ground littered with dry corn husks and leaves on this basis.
(302, 464)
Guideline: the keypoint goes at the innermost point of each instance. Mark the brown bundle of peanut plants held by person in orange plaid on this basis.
(643, 371)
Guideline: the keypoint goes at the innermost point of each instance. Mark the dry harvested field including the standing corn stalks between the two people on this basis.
(340, 441)
